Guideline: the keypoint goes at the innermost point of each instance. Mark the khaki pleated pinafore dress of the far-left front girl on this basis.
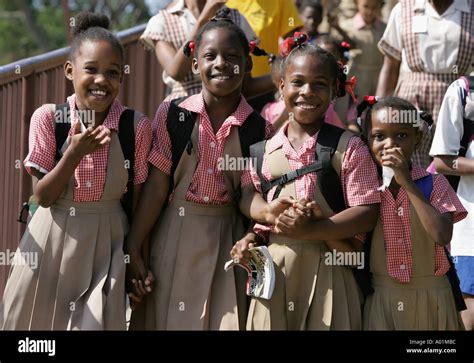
(79, 280)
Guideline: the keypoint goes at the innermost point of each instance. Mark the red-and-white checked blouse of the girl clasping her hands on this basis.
(358, 173)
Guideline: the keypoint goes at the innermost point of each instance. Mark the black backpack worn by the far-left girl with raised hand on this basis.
(126, 133)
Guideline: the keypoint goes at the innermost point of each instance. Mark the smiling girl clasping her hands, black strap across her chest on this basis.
(313, 290)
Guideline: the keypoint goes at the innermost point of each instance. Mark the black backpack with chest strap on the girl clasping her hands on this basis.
(327, 178)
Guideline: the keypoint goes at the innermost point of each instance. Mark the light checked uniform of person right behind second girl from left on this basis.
(172, 25)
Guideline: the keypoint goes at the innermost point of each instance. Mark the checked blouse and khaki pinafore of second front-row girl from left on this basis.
(192, 239)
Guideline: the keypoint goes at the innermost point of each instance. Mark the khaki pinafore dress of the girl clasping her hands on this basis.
(309, 294)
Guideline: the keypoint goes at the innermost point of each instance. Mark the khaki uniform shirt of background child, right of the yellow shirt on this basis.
(367, 60)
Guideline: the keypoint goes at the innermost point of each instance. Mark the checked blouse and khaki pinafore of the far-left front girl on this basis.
(79, 282)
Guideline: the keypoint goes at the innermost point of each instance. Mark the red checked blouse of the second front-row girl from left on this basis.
(208, 184)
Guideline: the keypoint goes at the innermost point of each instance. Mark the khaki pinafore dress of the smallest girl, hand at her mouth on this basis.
(424, 303)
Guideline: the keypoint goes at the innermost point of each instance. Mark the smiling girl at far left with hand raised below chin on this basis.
(79, 228)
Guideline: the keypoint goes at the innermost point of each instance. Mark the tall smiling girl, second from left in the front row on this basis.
(195, 231)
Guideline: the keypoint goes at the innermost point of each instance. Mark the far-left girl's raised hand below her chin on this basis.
(89, 141)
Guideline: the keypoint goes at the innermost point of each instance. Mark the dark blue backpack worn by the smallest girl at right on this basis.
(425, 184)
